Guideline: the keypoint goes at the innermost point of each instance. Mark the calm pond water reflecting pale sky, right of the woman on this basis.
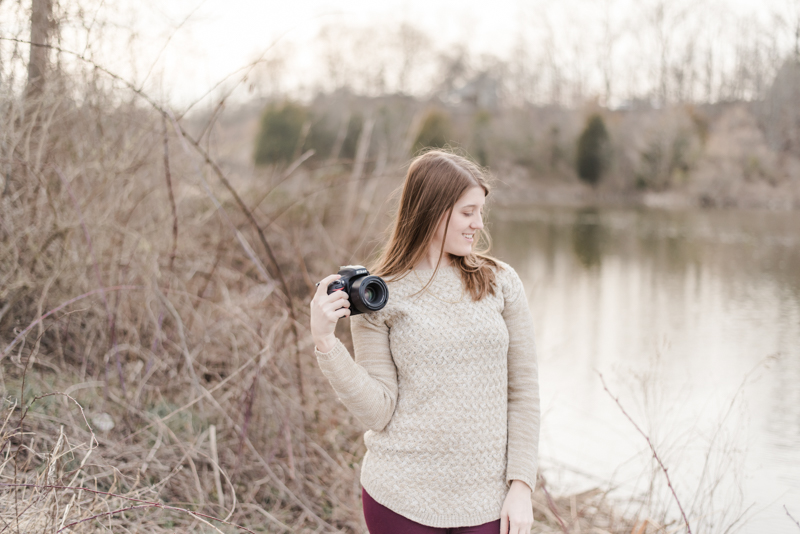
(693, 319)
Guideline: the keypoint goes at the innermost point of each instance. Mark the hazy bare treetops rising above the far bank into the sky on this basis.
(664, 52)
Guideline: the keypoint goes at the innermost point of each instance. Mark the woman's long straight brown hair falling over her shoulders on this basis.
(434, 183)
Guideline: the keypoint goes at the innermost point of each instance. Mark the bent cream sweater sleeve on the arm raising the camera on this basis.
(368, 384)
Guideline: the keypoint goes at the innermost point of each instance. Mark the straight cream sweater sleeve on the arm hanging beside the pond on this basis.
(523, 383)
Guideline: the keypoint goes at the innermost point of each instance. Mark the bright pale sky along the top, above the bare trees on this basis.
(219, 36)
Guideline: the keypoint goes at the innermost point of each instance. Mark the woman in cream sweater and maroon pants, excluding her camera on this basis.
(445, 376)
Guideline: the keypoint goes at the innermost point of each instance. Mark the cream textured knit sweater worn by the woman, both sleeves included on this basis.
(449, 392)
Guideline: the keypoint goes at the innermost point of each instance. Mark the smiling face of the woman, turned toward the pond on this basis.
(465, 223)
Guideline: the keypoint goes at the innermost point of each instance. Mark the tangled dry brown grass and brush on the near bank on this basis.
(156, 367)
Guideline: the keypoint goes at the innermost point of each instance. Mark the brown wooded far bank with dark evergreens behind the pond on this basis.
(640, 147)
